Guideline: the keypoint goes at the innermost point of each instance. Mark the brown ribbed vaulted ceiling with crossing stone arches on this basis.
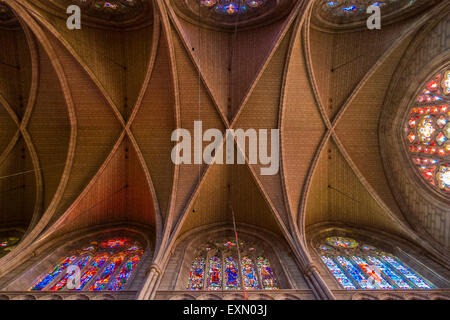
(87, 116)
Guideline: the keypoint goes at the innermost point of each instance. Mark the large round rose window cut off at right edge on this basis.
(427, 132)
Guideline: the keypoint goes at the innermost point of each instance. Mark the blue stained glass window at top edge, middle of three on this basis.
(232, 7)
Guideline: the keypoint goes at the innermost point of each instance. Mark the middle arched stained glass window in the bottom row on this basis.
(217, 267)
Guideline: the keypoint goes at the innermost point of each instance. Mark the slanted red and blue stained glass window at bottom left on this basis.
(104, 265)
